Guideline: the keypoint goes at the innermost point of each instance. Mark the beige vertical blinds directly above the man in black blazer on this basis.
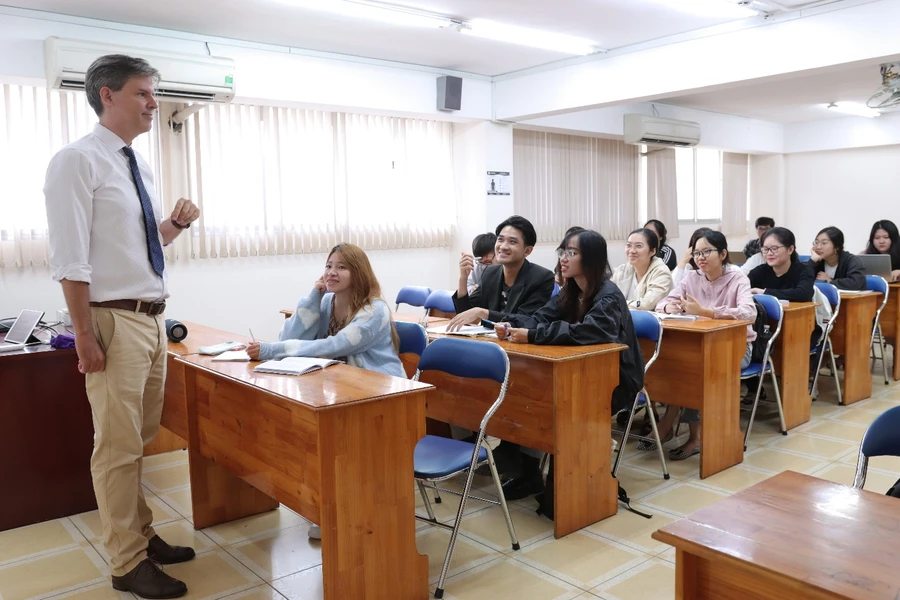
(566, 180)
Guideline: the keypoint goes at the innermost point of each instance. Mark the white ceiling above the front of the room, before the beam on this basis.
(608, 23)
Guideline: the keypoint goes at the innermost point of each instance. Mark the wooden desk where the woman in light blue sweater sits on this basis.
(336, 446)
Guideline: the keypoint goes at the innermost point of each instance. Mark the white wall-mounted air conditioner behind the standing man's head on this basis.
(185, 77)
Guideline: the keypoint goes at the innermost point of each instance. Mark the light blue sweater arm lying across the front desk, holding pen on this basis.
(358, 336)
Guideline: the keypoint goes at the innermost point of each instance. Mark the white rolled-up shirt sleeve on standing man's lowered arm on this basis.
(69, 197)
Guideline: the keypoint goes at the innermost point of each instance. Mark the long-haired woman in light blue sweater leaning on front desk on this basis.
(343, 317)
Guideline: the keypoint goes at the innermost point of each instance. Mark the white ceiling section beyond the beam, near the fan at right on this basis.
(792, 99)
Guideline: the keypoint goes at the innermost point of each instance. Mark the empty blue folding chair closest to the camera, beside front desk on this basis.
(437, 459)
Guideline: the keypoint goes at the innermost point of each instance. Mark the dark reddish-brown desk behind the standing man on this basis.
(46, 437)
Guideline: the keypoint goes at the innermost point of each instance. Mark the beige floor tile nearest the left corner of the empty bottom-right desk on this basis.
(581, 559)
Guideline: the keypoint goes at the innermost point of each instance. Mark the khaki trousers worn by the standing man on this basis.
(126, 401)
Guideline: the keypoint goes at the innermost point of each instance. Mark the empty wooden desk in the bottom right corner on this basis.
(791, 536)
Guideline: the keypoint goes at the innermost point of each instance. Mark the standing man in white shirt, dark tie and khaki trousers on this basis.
(106, 240)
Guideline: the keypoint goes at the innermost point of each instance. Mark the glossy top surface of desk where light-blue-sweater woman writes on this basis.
(334, 386)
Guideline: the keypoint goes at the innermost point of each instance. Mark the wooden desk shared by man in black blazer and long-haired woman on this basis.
(558, 401)
